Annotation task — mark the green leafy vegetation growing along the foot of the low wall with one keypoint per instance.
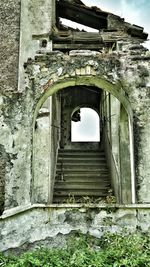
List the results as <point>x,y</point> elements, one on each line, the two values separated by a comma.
<point>115,250</point>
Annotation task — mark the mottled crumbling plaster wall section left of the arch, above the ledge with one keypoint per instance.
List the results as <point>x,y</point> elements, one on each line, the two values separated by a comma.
<point>15,144</point>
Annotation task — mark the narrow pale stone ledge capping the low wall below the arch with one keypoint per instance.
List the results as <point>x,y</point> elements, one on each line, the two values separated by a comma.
<point>22,209</point>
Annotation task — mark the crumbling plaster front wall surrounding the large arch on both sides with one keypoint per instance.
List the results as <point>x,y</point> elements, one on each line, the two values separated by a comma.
<point>121,73</point>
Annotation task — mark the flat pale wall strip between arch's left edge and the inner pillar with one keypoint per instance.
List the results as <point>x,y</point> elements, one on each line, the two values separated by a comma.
<point>41,151</point>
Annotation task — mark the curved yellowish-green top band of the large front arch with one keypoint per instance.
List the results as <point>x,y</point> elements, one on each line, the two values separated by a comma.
<point>52,87</point>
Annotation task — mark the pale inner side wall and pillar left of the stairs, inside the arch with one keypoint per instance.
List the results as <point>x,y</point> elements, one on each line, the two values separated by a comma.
<point>45,147</point>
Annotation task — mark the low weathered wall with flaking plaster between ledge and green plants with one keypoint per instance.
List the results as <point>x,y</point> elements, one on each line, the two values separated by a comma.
<point>42,226</point>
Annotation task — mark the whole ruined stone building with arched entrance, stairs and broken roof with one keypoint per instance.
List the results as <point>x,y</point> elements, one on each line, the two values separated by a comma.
<point>49,72</point>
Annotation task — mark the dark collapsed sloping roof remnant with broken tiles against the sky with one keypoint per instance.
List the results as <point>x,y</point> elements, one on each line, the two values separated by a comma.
<point>94,17</point>
